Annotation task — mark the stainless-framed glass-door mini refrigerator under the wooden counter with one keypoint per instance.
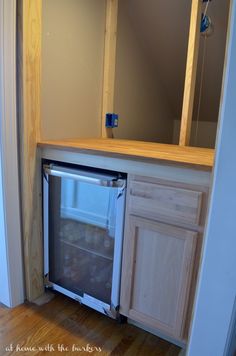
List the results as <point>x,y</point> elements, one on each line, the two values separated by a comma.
<point>83,220</point>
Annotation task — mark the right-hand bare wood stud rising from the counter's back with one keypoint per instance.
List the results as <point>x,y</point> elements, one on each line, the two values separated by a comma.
<point>191,72</point>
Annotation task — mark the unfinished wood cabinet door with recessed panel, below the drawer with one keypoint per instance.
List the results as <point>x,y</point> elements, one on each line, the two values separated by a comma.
<point>157,267</point>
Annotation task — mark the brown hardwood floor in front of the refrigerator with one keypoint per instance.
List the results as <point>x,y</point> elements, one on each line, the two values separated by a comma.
<point>81,330</point>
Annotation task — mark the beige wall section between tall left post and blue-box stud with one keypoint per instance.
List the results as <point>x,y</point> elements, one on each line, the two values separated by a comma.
<point>72,67</point>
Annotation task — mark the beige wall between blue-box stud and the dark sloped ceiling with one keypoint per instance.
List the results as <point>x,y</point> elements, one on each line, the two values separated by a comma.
<point>140,100</point>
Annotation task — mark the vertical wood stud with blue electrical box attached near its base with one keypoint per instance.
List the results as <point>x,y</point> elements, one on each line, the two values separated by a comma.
<point>109,64</point>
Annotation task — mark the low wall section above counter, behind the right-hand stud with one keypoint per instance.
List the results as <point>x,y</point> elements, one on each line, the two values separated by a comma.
<point>203,133</point>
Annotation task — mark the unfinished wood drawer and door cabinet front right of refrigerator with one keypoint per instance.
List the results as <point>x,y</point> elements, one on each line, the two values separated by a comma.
<point>160,259</point>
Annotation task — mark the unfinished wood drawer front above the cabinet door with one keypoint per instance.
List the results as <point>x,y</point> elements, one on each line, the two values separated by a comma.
<point>172,203</point>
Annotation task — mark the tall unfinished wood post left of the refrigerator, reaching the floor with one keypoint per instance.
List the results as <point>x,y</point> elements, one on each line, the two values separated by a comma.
<point>29,77</point>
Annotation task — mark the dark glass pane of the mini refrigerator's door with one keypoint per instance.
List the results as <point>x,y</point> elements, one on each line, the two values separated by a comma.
<point>81,236</point>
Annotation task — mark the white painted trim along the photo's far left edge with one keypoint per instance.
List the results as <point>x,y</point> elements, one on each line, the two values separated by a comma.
<point>11,262</point>
